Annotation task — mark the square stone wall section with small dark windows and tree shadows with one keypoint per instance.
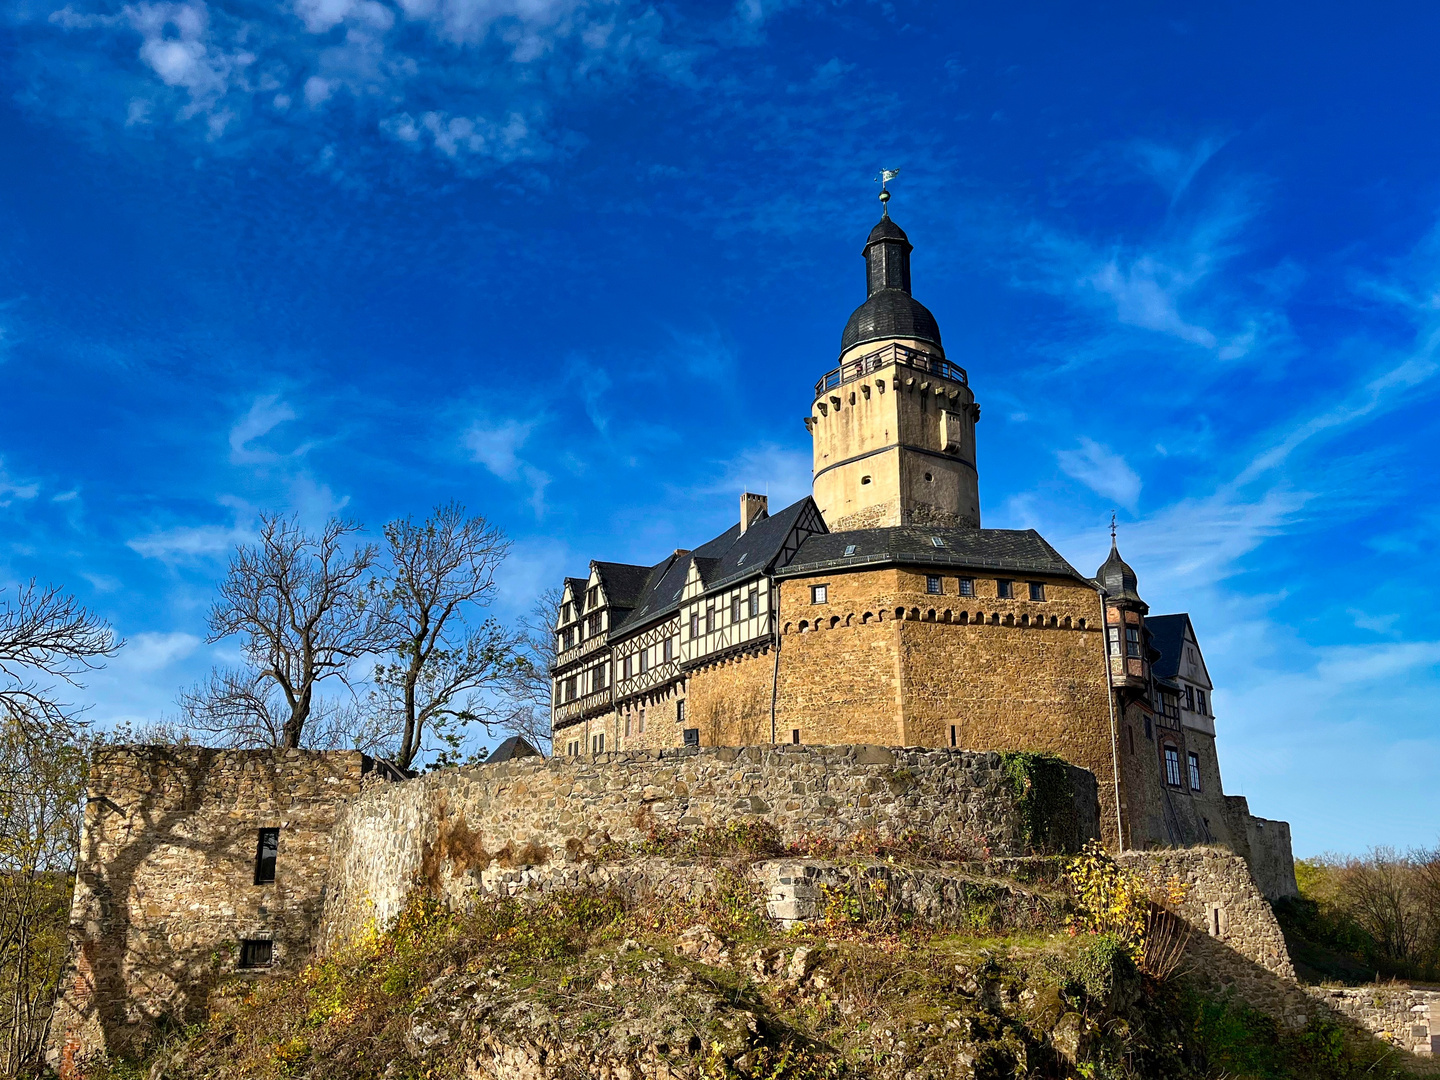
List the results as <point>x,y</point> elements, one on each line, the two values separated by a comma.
<point>166,886</point>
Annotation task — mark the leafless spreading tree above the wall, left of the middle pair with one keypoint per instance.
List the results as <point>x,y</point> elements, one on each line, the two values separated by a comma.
<point>305,610</point>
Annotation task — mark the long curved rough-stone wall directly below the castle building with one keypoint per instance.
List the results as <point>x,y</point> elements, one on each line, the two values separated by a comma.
<point>453,830</point>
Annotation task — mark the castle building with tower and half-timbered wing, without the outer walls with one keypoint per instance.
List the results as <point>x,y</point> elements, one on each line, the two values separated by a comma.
<point>879,611</point>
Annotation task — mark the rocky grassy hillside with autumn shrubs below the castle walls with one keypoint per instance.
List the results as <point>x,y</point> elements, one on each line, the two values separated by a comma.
<point>601,984</point>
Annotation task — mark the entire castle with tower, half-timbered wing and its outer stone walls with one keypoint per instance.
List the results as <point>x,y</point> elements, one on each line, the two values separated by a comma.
<point>849,665</point>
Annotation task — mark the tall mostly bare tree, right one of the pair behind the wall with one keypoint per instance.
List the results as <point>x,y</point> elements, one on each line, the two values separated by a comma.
<point>444,672</point>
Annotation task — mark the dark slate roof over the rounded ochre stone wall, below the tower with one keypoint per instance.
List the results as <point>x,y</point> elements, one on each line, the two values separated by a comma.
<point>1010,551</point>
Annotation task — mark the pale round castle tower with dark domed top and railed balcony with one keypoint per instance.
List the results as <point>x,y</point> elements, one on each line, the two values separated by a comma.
<point>894,427</point>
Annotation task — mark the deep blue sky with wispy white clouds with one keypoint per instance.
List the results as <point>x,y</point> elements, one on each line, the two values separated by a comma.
<point>578,263</point>
